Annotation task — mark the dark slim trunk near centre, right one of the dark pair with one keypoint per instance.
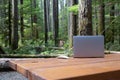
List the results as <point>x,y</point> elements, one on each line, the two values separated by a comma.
<point>56,22</point>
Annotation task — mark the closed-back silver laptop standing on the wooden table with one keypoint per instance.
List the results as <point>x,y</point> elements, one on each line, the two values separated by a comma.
<point>88,46</point>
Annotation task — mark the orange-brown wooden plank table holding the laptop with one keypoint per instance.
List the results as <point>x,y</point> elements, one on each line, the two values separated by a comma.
<point>107,68</point>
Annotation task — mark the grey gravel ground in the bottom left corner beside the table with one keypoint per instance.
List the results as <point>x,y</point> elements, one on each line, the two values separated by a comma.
<point>11,75</point>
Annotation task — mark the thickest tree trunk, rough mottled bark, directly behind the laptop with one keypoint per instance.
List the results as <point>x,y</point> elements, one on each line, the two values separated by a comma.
<point>85,17</point>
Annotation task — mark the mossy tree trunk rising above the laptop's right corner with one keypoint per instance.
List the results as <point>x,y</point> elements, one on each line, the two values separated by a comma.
<point>101,18</point>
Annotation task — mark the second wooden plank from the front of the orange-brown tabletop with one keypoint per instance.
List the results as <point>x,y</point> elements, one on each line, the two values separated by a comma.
<point>56,62</point>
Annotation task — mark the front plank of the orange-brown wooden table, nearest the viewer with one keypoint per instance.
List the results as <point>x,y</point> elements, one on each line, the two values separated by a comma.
<point>68,72</point>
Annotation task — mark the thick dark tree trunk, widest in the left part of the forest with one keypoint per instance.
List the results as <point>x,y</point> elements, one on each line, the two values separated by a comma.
<point>14,43</point>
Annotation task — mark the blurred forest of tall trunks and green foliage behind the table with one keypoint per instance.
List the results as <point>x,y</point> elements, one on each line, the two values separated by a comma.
<point>46,27</point>
